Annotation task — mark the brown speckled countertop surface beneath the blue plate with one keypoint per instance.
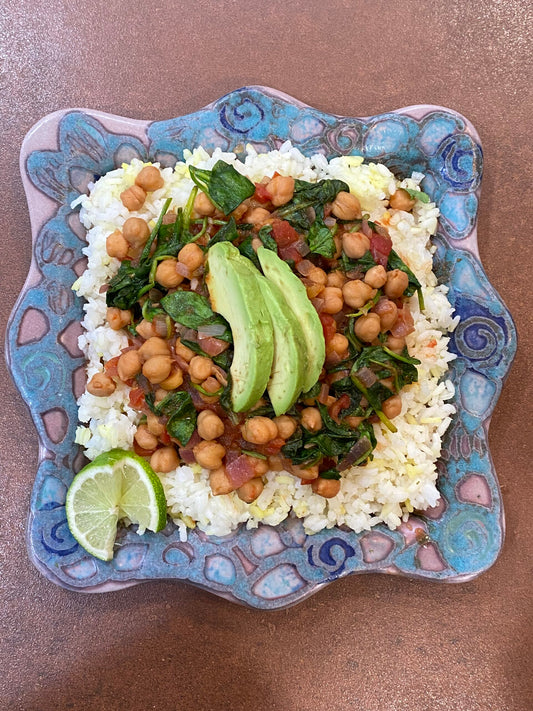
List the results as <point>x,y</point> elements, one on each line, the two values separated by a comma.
<point>370,643</point>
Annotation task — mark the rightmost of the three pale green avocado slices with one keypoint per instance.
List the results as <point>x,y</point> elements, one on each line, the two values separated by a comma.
<point>295,295</point>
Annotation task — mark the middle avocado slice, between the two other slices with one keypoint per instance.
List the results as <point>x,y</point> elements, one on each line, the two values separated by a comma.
<point>290,353</point>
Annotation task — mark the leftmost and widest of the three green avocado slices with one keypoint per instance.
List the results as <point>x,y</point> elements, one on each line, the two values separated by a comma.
<point>235,294</point>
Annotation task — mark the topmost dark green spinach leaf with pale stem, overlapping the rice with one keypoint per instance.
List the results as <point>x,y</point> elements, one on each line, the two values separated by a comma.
<point>225,187</point>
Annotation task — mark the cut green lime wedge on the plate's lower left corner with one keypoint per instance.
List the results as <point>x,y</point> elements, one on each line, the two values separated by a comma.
<point>116,485</point>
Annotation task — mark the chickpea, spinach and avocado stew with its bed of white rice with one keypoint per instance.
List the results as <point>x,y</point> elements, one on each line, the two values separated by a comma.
<point>268,335</point>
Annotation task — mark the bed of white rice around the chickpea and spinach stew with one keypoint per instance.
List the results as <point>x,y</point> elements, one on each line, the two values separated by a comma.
<point>402,476</point>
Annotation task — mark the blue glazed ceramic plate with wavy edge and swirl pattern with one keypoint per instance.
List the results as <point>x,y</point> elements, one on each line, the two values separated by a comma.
<point>268,567</point>
